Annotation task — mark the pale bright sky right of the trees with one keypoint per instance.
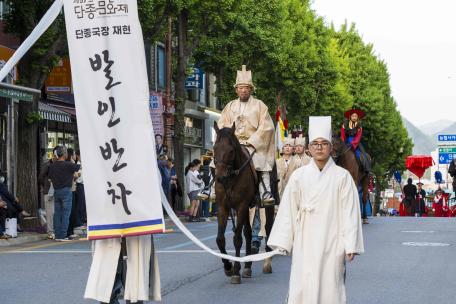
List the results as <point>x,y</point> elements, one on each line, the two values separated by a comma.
<point>417,40</point>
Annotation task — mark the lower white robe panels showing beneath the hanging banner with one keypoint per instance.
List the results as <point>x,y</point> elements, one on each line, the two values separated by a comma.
<point>141,283</point>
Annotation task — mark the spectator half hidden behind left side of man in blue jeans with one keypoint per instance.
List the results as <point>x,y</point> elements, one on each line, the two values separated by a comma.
<point>48,193</point>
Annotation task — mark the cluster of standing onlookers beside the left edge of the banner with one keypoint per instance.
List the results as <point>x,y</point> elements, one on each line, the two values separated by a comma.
<point>62,184</point>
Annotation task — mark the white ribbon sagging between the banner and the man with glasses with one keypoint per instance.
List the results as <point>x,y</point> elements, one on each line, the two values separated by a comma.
<point>249,258</point>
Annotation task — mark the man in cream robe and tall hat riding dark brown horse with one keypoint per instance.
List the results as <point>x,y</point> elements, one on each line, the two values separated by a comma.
<point>244,156</point>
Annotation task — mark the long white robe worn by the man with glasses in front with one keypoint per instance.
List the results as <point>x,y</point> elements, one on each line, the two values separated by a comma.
<point>318,222</point>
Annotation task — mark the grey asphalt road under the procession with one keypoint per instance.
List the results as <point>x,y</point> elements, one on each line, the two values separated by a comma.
<point>407,260</point>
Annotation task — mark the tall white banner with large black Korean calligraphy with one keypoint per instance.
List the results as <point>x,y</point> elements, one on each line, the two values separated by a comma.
<point>115,130</point>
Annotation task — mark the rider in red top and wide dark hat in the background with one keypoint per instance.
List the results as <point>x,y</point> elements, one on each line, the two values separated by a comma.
<point>351,133</point>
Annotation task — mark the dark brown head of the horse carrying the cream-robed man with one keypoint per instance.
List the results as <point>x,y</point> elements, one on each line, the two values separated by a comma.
<point>224,152</point>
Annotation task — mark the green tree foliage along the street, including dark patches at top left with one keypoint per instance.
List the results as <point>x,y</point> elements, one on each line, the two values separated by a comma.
<point>315,68</point>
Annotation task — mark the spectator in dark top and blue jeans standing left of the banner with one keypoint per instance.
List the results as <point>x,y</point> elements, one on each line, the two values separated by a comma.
<point>61,173</point>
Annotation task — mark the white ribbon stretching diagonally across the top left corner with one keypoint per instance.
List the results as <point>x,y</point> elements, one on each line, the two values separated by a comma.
<point>41,27</point>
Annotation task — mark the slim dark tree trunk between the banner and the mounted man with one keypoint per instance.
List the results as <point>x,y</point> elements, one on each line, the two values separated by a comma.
<point>182,58</point>
